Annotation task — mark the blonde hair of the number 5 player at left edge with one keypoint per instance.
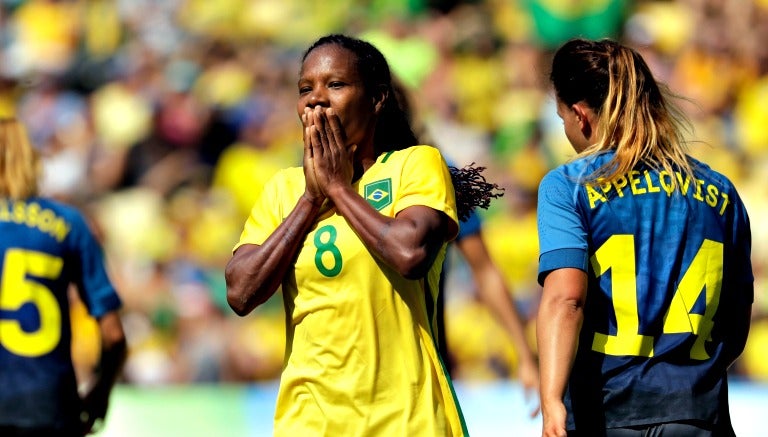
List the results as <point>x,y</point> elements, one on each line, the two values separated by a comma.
<point>19,161</point>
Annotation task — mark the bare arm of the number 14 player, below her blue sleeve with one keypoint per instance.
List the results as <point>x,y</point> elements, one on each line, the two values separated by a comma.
<point>559,321</point>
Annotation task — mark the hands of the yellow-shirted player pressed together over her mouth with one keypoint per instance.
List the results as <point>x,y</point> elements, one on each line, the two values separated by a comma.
<point>332,158</point>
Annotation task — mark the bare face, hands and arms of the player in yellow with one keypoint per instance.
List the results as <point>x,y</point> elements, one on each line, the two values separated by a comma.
<point>340,117</point>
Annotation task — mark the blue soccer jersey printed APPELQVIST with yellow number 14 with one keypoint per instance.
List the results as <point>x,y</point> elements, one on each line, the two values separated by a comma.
<point>668,269</point>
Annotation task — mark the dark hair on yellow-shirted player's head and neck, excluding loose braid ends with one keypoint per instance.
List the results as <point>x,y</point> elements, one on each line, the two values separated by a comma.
<point>393,131</point>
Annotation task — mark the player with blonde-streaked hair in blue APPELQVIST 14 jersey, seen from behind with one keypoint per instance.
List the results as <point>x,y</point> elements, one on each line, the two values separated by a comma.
<point>644,259</point>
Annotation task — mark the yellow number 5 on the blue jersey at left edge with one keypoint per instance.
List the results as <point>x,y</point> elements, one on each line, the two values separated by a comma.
<point>18,289</point>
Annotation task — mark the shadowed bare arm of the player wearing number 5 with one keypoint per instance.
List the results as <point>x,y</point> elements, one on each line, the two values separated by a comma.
<point>113,355</point>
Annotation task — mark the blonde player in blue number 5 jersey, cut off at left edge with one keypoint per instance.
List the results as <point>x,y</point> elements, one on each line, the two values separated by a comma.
<point>46,246</point>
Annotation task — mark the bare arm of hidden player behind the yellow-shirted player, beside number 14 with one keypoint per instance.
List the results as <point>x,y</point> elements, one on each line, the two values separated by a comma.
<point>495,294</point>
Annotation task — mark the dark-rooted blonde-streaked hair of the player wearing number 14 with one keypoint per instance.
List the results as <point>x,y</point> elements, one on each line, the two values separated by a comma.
<point>635,115</point>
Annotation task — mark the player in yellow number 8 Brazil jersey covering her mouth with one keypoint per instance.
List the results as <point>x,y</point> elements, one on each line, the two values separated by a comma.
<point>356,239</point>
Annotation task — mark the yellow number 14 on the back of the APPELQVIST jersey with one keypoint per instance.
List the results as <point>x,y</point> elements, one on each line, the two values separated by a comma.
<point>617,254</point>
